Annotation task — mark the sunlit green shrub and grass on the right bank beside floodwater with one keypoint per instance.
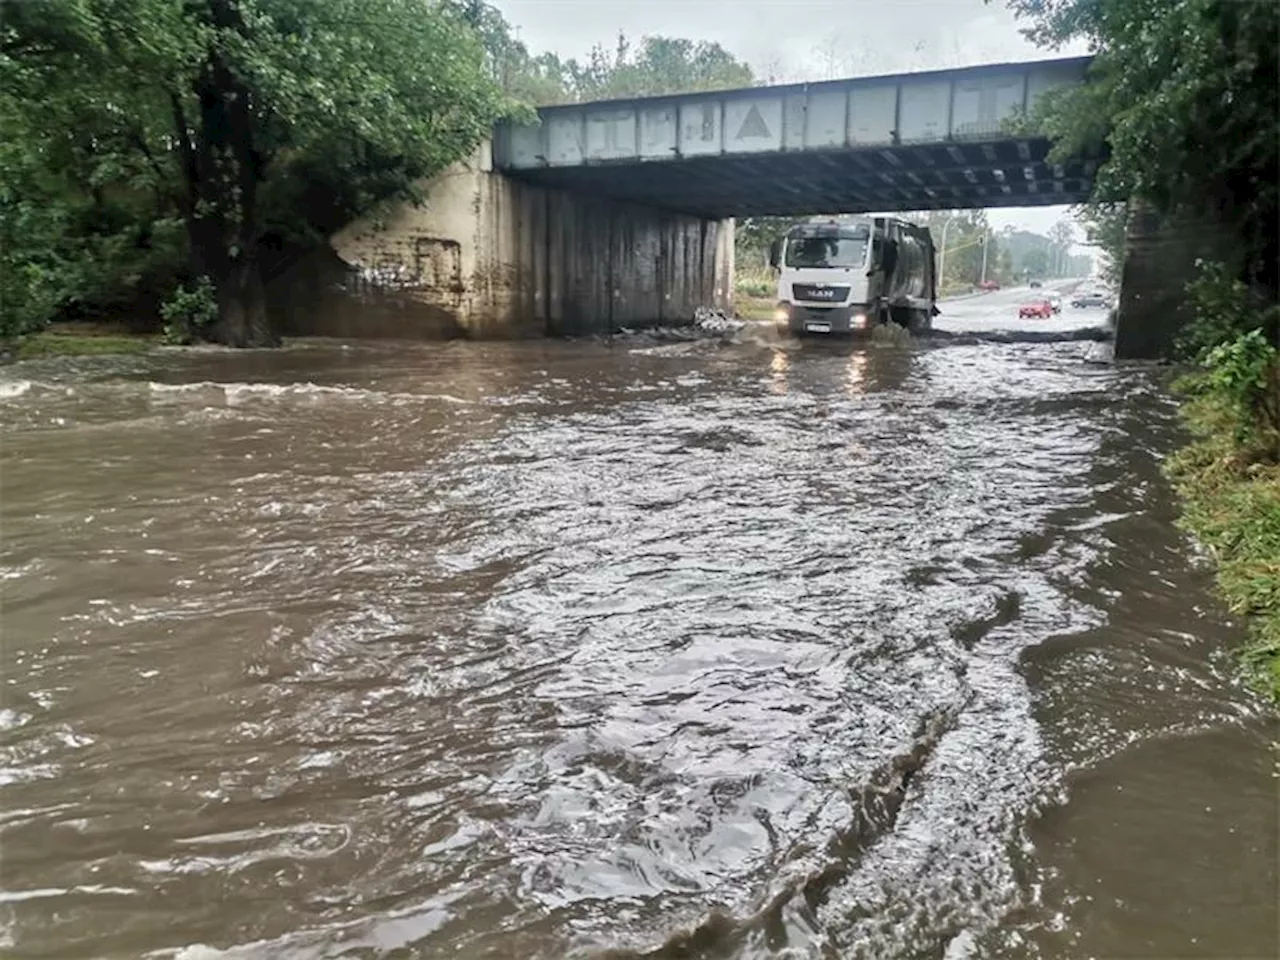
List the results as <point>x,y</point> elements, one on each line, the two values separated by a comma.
<point>1229,476</point>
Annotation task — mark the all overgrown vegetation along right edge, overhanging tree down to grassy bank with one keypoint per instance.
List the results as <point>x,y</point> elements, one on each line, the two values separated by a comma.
<point>1185,94</point>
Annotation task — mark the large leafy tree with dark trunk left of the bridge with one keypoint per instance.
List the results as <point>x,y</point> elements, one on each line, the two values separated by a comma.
<point>223,103</point>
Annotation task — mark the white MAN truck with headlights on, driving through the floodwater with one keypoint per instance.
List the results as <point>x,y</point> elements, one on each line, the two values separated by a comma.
<point>849,277</point>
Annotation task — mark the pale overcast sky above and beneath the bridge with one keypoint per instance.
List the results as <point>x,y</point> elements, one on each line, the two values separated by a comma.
<point>794,40</point>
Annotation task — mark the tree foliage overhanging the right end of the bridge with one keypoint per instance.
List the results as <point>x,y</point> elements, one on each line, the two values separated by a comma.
<point>1186,94</point>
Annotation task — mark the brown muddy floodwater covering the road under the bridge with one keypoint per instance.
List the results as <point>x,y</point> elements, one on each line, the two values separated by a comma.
<point>616,651</point>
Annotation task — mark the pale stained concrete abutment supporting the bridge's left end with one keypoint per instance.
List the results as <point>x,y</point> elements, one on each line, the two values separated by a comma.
<point>491,257</point>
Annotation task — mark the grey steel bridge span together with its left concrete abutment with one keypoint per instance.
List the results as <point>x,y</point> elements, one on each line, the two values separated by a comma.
<point>620,214</point>
